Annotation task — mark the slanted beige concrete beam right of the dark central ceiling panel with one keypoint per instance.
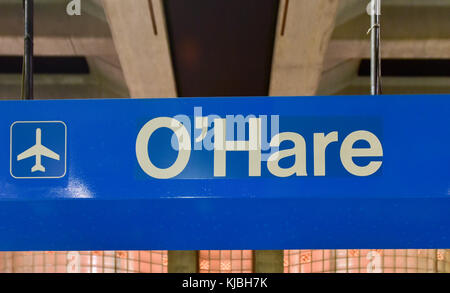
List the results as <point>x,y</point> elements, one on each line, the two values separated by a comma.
<point>303,32</point>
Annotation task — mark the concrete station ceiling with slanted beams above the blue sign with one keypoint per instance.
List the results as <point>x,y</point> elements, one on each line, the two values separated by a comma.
<point>170,48</point>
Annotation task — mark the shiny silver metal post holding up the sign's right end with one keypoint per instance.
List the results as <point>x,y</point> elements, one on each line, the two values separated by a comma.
<point>375,11</point>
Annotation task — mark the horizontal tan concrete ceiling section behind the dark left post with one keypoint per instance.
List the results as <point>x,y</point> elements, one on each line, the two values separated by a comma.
<point>56,33</point>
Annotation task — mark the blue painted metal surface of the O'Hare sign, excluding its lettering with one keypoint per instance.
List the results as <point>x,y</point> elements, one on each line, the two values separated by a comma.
<point>105,201</point>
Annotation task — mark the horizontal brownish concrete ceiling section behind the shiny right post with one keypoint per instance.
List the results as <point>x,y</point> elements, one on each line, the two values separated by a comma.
<point>401,36</point>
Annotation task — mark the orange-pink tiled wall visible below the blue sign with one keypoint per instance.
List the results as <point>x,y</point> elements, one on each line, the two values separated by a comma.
<point>230,261</point>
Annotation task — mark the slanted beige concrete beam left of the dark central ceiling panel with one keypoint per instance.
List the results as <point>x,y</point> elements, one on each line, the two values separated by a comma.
<point>139,33</point>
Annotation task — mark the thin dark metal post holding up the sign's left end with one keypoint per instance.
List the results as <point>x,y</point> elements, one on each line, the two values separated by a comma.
<point>27,70</point>
